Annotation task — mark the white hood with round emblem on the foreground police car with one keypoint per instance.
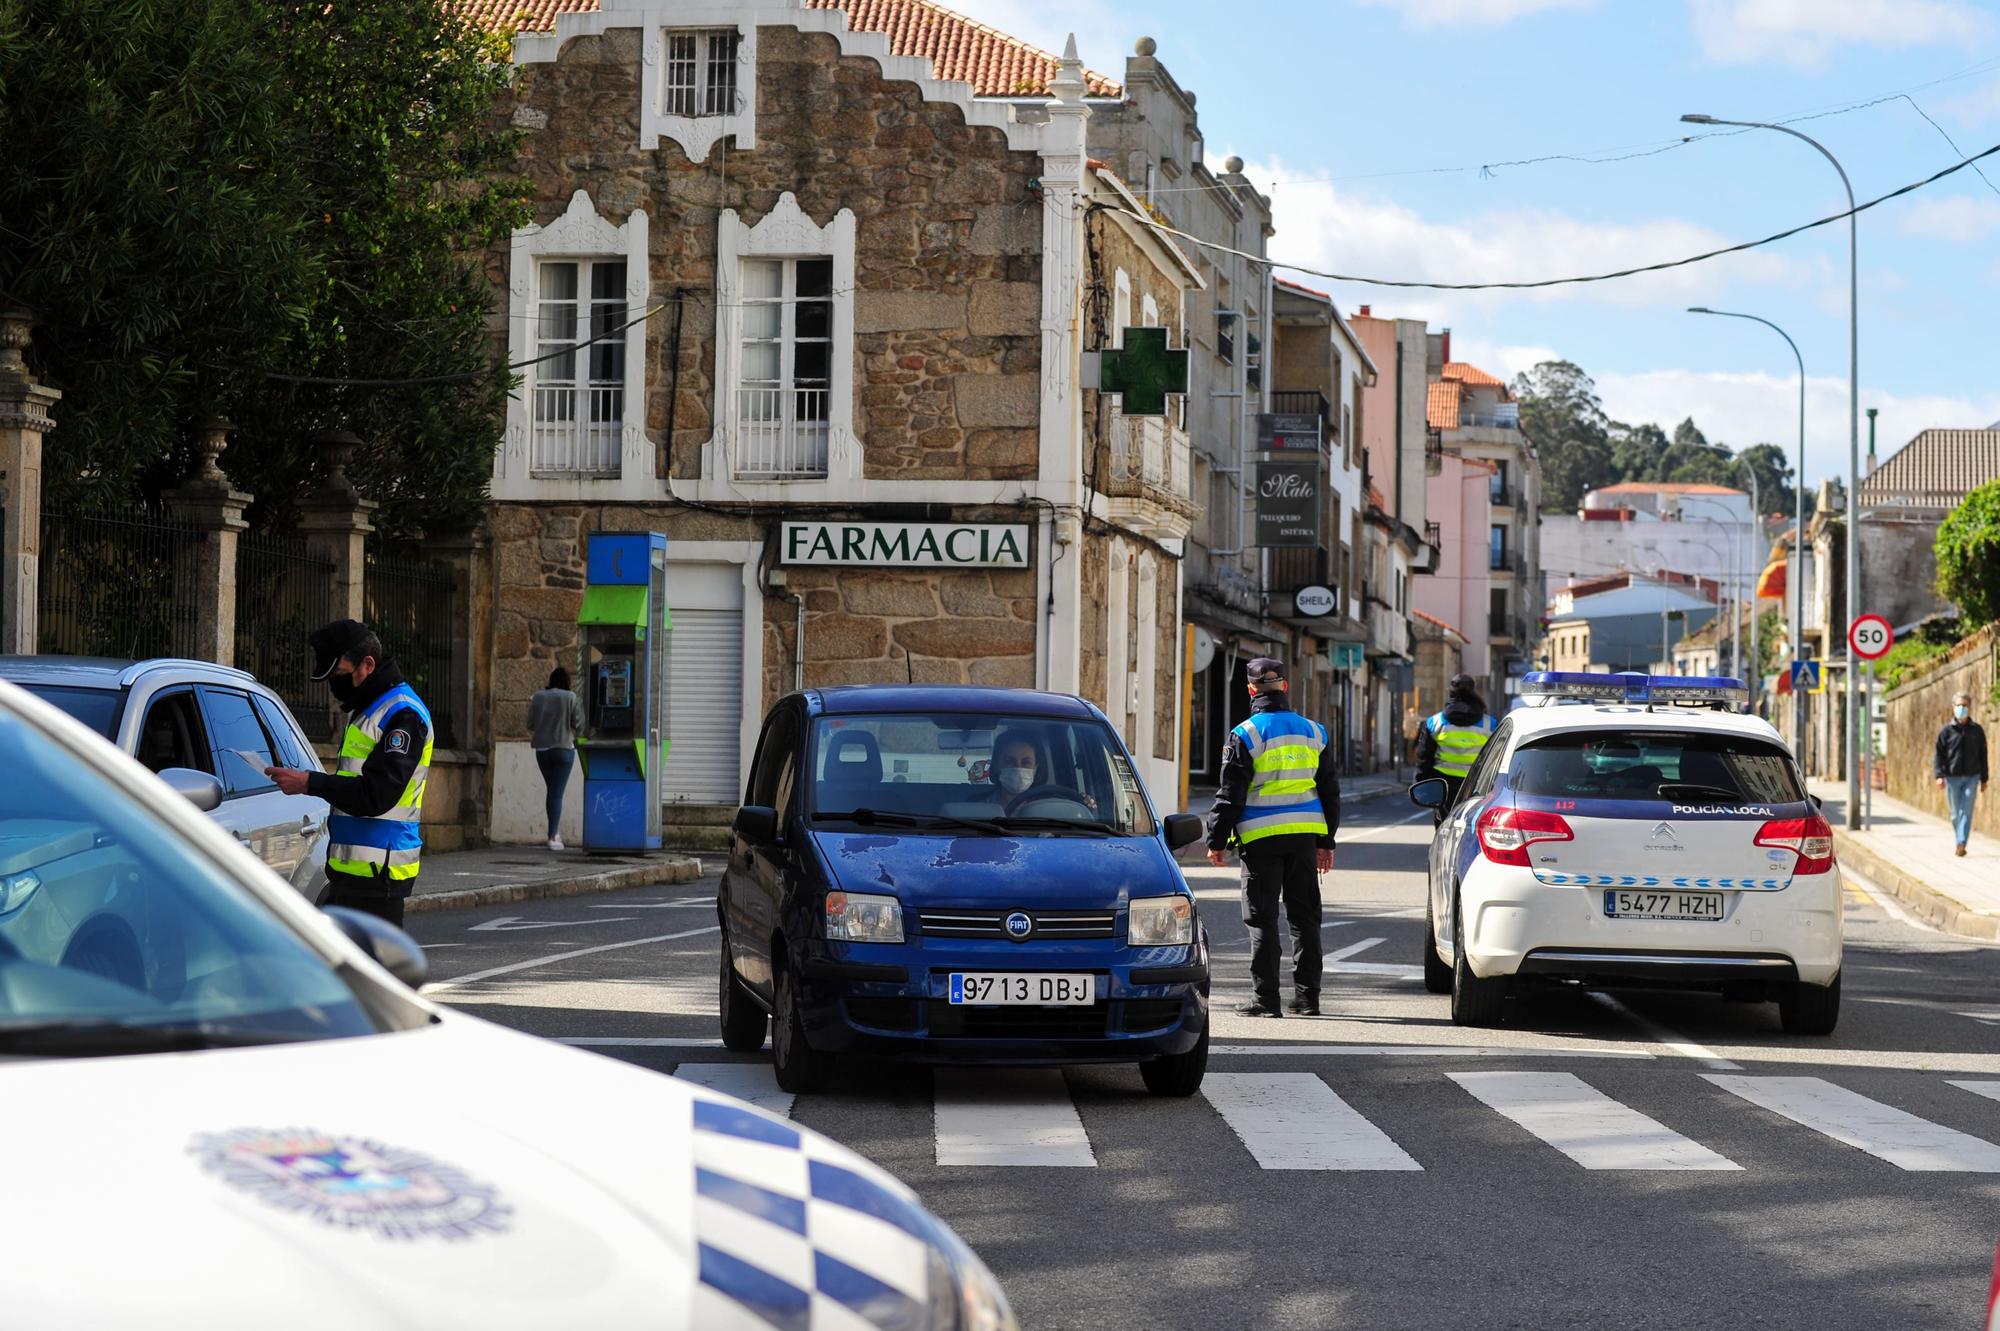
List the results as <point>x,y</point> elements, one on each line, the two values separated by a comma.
<point>457,1176</point>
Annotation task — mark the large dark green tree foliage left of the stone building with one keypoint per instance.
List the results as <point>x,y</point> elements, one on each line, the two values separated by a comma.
<point>253,187</point>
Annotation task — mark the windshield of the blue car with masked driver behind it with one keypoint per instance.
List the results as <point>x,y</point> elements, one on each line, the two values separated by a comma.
<point>1017,774</point>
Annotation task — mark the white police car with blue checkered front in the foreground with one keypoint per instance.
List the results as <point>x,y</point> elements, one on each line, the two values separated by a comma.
<point>225,1110</point>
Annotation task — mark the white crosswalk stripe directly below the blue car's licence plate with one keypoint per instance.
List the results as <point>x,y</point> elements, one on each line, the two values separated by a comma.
<point>1007,1118</point>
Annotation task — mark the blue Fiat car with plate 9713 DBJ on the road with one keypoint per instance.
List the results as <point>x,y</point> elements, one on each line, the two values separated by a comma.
<point>959,874</point>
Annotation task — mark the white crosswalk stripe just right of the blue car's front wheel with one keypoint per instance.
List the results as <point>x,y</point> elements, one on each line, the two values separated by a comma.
<point>1295,1122</point>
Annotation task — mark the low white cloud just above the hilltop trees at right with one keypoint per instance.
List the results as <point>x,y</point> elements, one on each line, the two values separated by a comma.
<point>1763,409</point>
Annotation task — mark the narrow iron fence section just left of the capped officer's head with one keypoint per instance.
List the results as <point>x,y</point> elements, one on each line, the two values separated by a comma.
<point>283,593</point>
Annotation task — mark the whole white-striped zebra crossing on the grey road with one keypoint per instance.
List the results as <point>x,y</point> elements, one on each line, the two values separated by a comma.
<point>1295,1120</point>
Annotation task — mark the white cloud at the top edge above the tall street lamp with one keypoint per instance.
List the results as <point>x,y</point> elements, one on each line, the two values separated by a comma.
<point>1809,31</point>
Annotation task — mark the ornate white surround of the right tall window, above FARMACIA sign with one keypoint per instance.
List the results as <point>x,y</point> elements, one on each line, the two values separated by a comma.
<point>785,233</point>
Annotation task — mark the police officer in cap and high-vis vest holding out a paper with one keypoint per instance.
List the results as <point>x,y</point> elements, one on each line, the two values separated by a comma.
<point>375,832</point>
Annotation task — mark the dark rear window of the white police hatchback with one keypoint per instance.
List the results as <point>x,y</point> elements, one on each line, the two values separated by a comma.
<point>1691,768</point>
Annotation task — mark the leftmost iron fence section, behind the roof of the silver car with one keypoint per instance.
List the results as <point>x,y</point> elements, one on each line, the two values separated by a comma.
<point>117,587</point>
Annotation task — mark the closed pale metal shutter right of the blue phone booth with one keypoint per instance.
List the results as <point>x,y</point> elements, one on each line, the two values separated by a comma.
<point>705,700</point>
